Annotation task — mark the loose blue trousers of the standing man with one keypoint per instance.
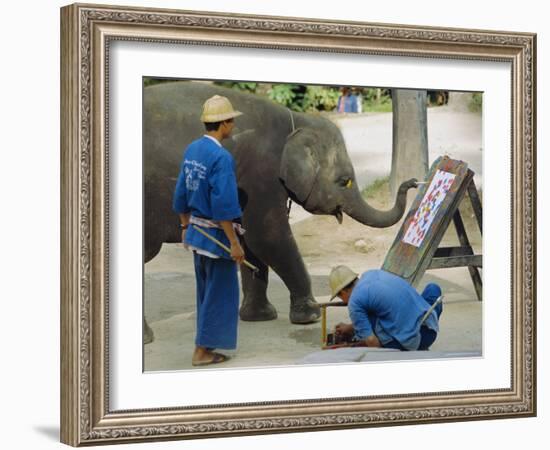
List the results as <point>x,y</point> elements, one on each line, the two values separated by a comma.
<point>217,302</point>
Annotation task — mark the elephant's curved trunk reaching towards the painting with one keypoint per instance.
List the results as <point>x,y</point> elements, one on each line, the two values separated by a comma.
<point>358,209</point>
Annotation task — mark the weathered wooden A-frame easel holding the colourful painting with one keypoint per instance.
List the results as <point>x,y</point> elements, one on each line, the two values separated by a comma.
<point>411,263</point>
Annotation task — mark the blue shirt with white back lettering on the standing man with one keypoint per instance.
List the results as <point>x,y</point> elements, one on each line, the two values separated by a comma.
<point>207,188</point>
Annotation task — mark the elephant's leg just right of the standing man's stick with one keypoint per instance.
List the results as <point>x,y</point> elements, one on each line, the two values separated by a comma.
<point>255,305</point>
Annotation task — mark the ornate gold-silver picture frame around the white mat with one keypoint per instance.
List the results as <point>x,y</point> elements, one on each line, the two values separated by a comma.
<point>86,31</point>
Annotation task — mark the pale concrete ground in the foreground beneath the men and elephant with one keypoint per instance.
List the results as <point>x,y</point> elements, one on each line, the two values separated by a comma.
<point>170,310</point>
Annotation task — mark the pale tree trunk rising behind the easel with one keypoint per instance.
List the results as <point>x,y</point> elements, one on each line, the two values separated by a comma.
<point>410,137</point>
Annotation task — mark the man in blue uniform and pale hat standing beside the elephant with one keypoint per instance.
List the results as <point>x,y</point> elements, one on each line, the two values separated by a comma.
<point>206,197</point>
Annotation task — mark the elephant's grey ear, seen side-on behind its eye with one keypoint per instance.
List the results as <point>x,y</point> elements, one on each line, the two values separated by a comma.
<point>299,164</point>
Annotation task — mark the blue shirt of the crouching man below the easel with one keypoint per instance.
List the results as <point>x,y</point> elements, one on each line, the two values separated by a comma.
<point>387,306</point>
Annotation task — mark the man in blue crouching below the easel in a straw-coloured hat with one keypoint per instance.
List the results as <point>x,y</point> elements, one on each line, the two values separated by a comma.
<point>385,310</point>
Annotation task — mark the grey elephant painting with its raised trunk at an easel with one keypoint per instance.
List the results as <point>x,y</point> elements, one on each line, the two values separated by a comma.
<point>279,155</point>
